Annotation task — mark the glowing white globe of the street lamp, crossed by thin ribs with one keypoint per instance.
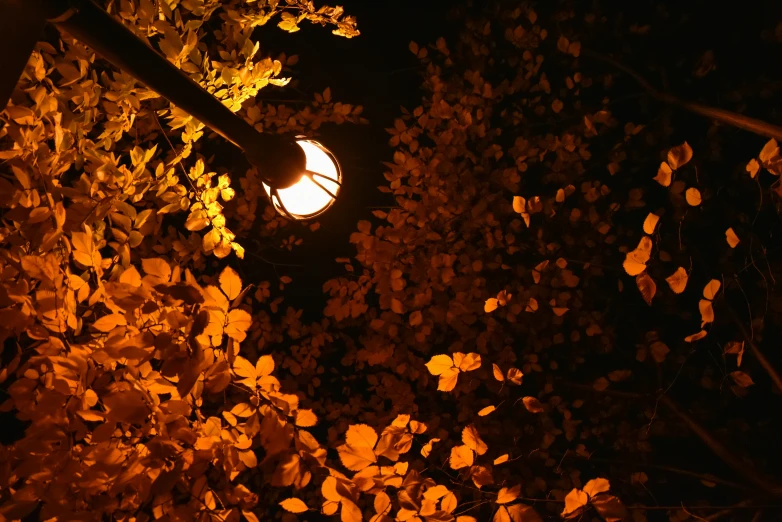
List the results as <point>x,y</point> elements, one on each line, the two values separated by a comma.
<point>317,188</point>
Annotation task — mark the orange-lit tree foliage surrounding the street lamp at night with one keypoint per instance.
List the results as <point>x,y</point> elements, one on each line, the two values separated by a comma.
<point>566,311</point>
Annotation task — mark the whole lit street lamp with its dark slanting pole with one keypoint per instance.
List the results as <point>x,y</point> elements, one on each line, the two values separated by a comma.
<point>300,176</point>
